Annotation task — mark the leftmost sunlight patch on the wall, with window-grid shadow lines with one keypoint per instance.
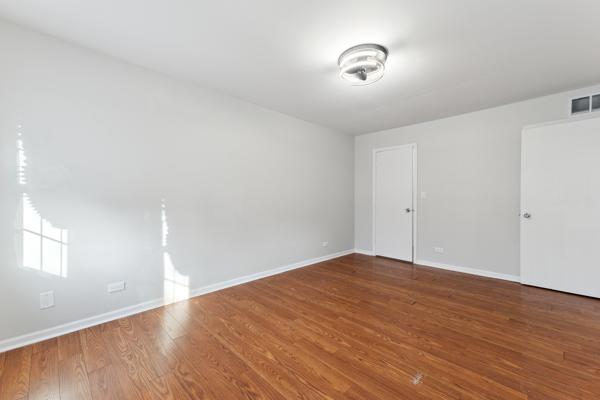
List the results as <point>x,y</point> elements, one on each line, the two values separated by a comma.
<point>43,246</point>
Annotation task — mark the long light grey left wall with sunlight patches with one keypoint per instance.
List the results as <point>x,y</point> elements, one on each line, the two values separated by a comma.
<point>245,189</point>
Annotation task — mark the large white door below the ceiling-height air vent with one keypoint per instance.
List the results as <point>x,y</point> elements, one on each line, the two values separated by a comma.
<point>560,221</point>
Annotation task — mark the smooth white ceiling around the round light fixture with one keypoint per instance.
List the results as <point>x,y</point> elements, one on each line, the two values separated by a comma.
<point>446,56</point>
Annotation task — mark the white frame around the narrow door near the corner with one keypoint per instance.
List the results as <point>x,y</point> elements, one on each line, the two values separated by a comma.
<point>413,147</point>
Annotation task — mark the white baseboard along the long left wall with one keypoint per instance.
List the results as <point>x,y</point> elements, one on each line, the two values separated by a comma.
<point>59,330</point>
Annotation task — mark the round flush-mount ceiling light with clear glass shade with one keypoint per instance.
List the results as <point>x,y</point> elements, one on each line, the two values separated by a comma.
<point>363,64</point>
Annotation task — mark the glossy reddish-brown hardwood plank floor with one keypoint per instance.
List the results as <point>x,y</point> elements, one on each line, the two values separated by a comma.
<point>356,327</point>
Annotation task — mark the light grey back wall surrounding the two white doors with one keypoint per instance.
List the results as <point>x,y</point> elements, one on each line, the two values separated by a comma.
<point>469,167</point>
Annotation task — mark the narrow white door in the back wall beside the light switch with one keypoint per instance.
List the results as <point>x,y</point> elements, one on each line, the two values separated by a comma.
<point>393,202</point>
